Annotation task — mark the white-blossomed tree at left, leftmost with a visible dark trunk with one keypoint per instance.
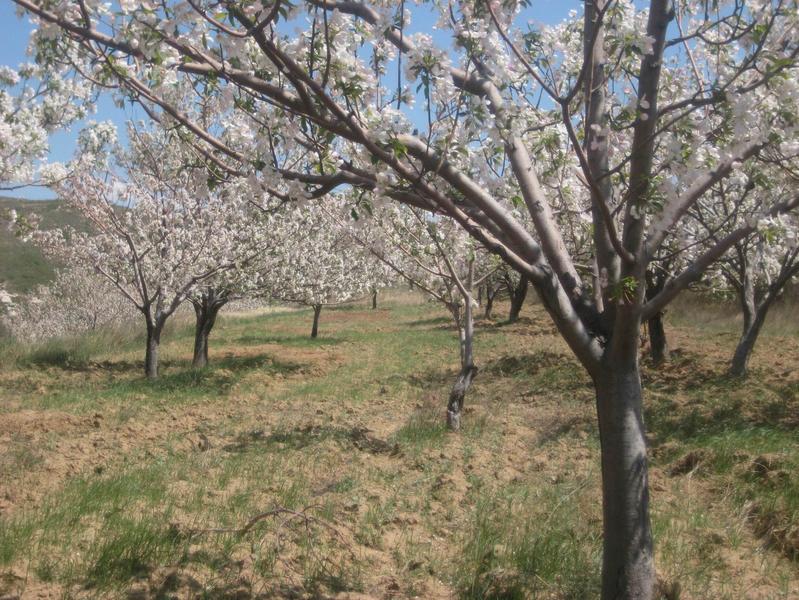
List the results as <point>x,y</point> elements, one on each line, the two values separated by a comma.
<point>154,238</point>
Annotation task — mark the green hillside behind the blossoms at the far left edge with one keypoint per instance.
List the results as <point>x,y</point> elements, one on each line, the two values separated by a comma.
<point>22,265</point>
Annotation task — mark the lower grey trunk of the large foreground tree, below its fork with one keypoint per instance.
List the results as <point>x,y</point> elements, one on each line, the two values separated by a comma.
<point>627,564</point>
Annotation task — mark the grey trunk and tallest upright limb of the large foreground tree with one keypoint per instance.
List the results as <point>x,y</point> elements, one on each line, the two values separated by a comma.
<point>628,571</point>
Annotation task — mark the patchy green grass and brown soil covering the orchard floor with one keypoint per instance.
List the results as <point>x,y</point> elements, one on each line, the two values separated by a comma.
<point>112,485</point>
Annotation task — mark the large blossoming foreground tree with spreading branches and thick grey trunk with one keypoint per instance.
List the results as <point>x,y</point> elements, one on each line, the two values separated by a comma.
<point>625,80</point>
